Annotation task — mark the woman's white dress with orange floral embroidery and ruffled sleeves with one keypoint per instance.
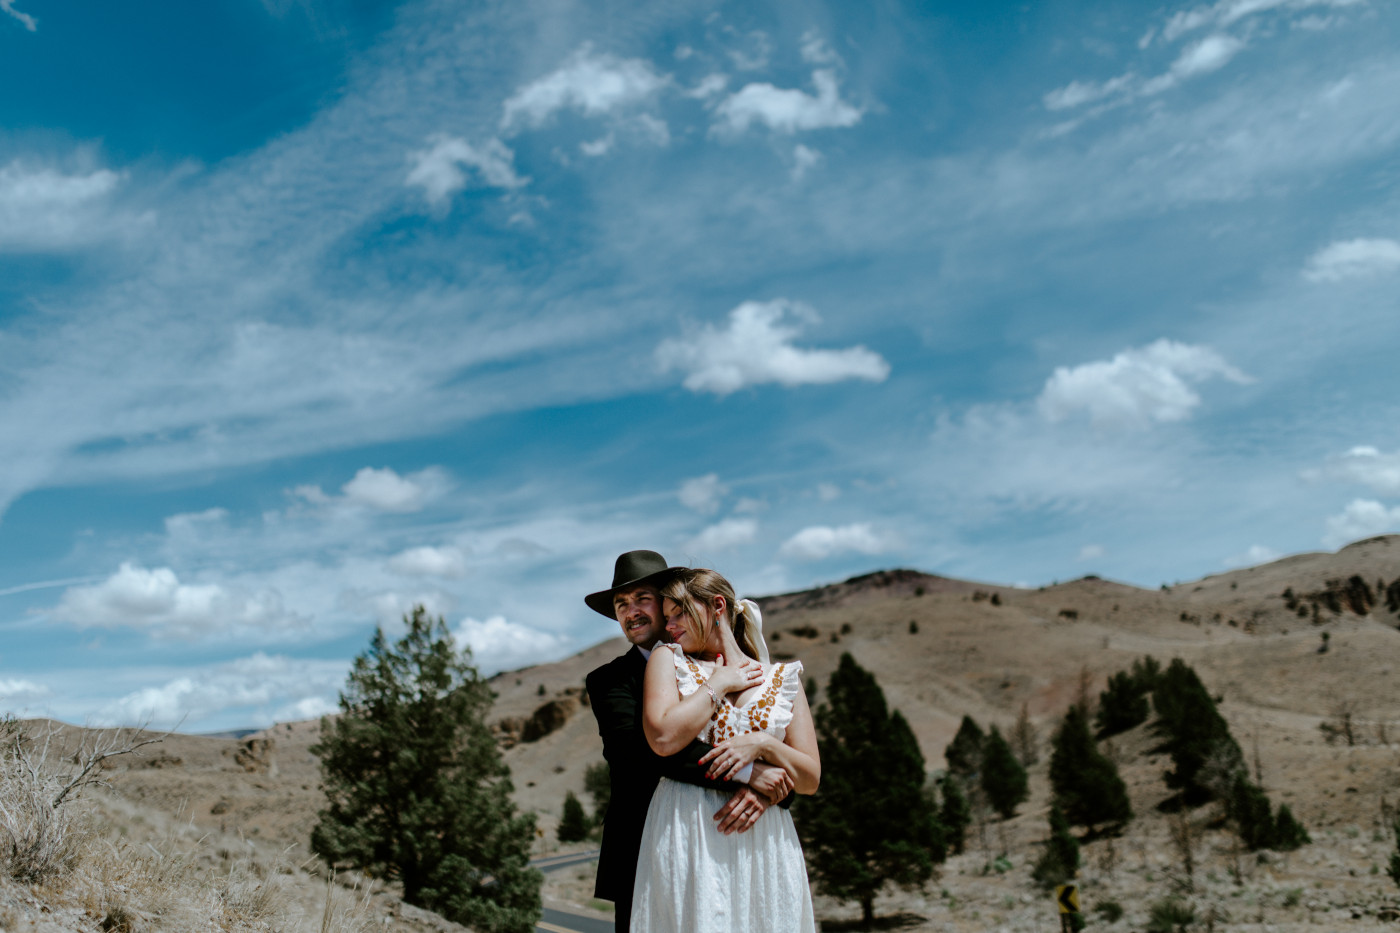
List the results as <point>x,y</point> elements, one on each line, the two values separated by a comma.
<point>691,879</point>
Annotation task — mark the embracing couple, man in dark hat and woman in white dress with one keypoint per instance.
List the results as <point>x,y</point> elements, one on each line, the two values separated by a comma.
<point>703,736</point>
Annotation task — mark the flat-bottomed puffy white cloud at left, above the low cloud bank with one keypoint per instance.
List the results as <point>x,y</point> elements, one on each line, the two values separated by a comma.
<point>156,602</point>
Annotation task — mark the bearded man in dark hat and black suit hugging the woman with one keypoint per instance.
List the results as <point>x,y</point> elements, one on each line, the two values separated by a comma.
<point>615,697</point>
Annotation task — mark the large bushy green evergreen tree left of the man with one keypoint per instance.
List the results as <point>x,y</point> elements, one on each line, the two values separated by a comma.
<point>416,789</point>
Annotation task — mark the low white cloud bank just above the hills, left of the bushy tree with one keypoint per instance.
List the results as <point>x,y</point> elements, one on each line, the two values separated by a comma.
<point>265,689</point>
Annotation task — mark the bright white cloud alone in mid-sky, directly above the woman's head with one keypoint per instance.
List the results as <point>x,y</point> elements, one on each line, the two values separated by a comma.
<point>758,348</point>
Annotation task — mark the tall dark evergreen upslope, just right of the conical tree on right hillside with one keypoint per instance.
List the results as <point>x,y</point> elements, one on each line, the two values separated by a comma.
<point>1196,735</point>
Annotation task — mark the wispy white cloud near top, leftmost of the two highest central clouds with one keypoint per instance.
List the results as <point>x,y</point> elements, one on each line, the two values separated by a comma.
<point>593,85</point>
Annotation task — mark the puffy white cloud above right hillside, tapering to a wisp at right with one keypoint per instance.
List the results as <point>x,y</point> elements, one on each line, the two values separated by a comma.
<point>1136,387</point>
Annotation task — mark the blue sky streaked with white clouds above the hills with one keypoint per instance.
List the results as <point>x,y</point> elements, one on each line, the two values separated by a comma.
<point>316,310</point>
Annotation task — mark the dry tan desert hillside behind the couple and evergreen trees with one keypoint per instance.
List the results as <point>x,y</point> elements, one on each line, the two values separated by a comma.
<point>943,649</point>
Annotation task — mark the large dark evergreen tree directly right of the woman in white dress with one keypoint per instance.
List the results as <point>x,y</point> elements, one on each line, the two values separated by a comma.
<point>859,836</point>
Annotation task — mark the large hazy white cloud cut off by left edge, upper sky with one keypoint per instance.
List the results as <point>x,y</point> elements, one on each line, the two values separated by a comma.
<point>47,209</point>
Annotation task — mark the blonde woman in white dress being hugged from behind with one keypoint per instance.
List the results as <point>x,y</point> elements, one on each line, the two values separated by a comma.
<point>716,683</point>
